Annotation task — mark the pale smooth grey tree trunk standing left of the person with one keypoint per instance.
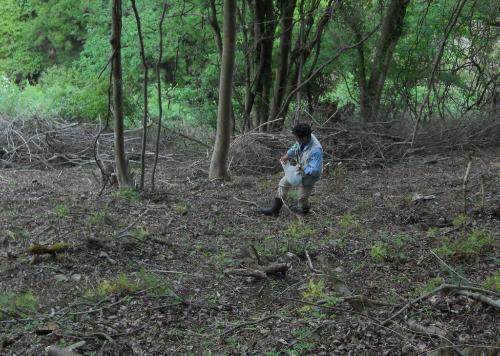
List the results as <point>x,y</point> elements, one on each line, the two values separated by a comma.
<point>218,164</point>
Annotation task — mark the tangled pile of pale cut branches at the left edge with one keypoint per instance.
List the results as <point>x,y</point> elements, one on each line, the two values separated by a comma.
<point>50,144</point>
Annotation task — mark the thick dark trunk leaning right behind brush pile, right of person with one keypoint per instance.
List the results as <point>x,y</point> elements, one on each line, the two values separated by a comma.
<point>371,92</point>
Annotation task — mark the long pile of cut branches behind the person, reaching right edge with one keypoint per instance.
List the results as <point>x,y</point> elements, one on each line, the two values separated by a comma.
<point>365,144</point>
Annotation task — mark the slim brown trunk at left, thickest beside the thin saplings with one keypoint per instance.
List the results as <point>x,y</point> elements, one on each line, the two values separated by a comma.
<point>120,159</point>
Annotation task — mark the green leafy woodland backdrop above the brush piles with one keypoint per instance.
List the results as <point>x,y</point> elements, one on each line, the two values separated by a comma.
<point>308,56</point>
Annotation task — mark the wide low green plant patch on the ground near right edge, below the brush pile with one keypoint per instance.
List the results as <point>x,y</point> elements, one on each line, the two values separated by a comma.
<point>476,242</point>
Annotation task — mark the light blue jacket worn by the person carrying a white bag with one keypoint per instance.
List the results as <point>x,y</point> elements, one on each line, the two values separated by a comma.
<point>310,158</point>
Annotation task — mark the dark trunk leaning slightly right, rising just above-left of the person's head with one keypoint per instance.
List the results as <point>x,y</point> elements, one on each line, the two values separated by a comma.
<point>280,82</point>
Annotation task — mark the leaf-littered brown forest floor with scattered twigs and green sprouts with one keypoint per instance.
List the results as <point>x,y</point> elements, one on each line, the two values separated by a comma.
<point>162,273</point>
